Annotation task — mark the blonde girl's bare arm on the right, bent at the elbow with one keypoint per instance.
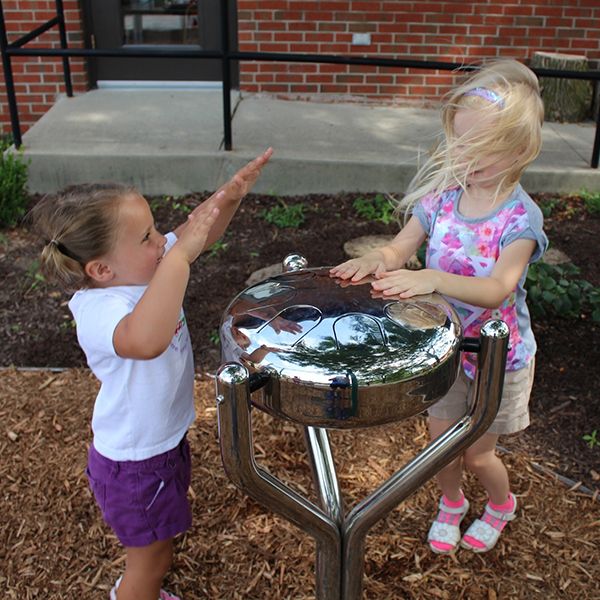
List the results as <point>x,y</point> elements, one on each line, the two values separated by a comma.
<point>487,292</point>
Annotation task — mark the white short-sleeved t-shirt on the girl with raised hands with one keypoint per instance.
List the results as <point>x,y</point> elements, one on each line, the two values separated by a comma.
<point>144,407</point>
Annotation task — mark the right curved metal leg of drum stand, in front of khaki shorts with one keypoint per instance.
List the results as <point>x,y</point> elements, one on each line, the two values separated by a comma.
<point>488,393</point>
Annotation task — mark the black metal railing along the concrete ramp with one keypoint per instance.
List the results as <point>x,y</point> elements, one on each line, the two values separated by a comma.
<point>227,56</point>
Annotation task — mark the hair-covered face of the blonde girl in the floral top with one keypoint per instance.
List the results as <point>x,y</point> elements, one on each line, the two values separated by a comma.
<point>469,124</point>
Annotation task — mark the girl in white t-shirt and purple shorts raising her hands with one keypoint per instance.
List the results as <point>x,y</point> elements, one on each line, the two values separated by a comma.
<point>100,239</point>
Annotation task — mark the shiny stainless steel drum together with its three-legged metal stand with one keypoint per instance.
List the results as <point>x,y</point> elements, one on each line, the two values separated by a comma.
<point>328,354</point>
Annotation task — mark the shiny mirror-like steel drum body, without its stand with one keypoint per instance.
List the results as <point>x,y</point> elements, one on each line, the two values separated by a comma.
<point>341,355</point>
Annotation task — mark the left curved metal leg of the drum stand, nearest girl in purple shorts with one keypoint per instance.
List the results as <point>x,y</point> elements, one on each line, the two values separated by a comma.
<point>235,438</point>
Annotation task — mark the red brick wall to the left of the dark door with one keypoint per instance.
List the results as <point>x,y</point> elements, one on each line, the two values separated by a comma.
<point>39,80</point>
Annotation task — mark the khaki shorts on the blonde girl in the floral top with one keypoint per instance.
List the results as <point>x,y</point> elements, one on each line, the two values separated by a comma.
<point>513,414</point>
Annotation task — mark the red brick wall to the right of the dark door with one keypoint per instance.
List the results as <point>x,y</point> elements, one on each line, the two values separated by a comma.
<point>427,30</point>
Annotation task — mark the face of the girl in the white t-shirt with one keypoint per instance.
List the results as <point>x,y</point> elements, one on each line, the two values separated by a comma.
<point>139,248</point>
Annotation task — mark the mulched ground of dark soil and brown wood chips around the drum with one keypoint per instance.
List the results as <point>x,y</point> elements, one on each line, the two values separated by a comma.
<point>55,546</point>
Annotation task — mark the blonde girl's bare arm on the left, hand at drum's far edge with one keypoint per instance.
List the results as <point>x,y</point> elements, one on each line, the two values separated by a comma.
<point>385,258</point>
